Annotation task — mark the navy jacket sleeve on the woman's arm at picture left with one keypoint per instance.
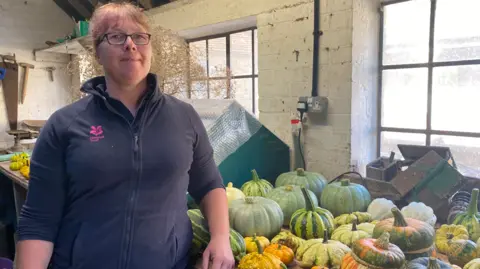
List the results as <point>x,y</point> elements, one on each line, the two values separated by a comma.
<point>42,212</point>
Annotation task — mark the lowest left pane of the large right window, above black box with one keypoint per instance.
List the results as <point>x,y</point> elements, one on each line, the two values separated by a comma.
<point>390,140</point>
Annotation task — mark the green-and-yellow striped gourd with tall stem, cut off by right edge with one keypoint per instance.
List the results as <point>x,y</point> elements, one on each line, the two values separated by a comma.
<point>470,218</point>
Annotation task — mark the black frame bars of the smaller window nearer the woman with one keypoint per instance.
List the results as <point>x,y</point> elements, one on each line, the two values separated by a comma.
<point>252,76</point>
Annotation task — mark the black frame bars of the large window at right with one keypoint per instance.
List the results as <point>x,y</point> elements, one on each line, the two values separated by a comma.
<point>431,64</point>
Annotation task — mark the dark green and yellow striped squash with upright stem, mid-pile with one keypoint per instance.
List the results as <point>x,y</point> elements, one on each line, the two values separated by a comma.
<point>311,221</point>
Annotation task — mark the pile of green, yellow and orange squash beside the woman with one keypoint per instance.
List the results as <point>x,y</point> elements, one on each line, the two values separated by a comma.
<point>304,221</point>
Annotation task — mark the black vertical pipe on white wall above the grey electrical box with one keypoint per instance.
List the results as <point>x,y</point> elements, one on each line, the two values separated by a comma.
<point>316,46</point>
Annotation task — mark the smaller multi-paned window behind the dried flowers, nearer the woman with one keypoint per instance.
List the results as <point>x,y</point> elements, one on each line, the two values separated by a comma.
<point>225,67</point>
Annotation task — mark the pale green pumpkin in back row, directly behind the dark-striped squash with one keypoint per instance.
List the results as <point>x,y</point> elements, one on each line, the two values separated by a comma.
<point>310,180</point>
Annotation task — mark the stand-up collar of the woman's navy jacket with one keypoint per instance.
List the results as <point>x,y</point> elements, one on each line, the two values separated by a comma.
<point>97,86</point>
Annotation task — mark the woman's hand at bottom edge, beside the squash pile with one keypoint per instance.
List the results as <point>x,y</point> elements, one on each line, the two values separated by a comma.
<point>218,253</point>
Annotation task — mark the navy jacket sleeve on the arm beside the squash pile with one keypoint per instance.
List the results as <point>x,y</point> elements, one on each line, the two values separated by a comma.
<point>204,174</point>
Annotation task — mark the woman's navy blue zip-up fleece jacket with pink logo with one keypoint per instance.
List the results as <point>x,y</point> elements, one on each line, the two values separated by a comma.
<point>109,189</point>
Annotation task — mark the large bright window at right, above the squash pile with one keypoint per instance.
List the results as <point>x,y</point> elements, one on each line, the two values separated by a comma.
<point>430,77</point>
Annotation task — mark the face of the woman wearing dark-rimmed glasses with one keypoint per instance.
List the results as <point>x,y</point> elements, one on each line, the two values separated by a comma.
<point>126,63</point>
